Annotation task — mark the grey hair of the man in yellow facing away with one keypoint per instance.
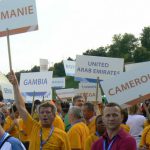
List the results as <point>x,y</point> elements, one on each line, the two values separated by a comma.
<point>76,111</point>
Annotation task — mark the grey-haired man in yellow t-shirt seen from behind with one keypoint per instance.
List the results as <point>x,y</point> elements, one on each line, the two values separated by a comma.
<point>79,131</point>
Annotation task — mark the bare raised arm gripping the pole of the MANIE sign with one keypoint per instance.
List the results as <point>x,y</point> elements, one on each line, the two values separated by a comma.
<point>19,100</point>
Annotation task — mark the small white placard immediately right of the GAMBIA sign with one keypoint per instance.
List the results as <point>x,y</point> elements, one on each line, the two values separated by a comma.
<point>58,82</point>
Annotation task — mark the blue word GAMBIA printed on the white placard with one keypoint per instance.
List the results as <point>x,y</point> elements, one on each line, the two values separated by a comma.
<point>35,81</point>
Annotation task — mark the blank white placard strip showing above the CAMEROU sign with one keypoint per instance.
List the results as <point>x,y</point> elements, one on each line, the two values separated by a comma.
<point>129,67</point>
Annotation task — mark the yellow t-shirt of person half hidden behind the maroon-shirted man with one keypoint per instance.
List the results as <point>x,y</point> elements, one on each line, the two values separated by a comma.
<point>90,140</point>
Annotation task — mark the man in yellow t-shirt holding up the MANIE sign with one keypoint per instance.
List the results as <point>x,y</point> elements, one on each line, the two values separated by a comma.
<point>43,135</point>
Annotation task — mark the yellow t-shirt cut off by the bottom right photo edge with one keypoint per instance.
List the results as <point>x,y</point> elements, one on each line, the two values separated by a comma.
<point>145,139</point>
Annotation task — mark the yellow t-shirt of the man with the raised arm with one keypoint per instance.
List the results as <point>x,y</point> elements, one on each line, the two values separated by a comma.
<point>57,141</point>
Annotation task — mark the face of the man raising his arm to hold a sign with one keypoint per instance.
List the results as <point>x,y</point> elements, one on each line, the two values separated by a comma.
<point>46,116</point>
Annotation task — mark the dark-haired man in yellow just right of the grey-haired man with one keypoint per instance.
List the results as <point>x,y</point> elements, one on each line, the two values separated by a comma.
<point>89,116</point>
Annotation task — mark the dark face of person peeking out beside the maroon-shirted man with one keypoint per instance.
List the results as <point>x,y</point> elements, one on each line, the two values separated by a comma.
<point>100,127</point>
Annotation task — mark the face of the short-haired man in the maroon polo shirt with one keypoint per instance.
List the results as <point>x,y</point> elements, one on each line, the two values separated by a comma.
<point>112,117</point>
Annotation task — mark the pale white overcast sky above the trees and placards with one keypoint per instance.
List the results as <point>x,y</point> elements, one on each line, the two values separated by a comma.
<point>70,27</point>
